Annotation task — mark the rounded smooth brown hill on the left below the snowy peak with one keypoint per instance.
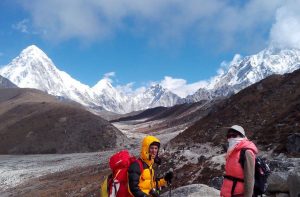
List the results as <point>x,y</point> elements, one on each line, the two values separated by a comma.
<point>33,122</point>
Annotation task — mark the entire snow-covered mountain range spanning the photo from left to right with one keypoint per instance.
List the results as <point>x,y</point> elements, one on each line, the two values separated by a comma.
<point>34,69</point>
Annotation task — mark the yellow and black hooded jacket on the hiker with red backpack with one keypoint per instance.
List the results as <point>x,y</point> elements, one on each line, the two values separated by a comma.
<point>142,181</point>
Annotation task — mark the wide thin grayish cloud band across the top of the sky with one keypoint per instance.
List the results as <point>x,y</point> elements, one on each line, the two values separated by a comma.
<point>162,22</point>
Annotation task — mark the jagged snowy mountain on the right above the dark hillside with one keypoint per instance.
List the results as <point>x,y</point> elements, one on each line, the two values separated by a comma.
<point>243,72</point>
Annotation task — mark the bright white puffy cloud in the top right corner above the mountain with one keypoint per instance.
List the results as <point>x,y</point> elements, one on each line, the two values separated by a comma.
<point>285,31</point>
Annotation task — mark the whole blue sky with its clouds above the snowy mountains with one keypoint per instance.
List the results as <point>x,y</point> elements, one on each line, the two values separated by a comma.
<point>177,43</point>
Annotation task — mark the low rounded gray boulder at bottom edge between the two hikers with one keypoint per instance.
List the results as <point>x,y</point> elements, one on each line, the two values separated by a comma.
<point>194,190</point>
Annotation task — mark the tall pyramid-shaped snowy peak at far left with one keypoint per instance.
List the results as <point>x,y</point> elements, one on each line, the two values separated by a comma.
<point>33,69</point>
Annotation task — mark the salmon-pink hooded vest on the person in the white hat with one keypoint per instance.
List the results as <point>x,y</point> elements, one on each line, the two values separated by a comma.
<point>234,169</point>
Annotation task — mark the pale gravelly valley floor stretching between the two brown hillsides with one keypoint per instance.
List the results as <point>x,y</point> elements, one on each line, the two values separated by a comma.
<point>78,174</point>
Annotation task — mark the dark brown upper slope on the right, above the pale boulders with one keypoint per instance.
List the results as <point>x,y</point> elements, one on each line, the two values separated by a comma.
<point>268,110</point>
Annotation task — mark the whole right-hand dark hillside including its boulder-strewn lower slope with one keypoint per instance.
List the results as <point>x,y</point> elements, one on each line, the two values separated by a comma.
<point>270,113</point>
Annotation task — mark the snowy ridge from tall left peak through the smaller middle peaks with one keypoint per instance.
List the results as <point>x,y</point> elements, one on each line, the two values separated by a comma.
<point>34,69</point>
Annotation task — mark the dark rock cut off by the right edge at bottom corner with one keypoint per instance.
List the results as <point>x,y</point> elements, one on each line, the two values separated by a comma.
<point>293,182</point>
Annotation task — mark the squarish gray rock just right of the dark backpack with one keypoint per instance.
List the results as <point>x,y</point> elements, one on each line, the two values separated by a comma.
<point>277,182</point>
